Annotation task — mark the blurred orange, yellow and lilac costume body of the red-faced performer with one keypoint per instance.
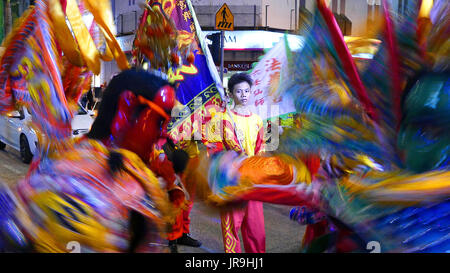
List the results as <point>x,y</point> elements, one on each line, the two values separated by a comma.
<point>78,200</point>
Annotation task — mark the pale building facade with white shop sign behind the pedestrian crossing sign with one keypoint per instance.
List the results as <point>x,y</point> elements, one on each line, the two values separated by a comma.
<point>260,22</point>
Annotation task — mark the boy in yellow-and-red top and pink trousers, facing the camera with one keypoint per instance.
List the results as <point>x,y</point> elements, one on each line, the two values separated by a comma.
<point>240,130</point>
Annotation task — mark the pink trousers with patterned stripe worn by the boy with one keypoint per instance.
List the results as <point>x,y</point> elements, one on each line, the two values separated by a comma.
<point>251,222</point>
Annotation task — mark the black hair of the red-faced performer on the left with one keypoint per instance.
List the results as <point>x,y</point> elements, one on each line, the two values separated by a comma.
<point>139,82</point>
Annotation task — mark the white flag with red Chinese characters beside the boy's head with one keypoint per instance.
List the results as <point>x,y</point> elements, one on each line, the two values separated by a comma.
<point>267,74</point>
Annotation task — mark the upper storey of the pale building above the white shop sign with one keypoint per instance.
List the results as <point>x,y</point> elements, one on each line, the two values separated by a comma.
<point>286,14</point>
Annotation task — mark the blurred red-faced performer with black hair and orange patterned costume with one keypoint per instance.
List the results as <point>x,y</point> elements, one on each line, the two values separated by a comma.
<point>98,192</point>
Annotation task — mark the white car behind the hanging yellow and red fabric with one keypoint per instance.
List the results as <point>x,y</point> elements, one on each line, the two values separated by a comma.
<point>16,132</point>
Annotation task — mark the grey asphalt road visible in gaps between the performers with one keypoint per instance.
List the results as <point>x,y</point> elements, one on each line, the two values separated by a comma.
<point>282,234</point>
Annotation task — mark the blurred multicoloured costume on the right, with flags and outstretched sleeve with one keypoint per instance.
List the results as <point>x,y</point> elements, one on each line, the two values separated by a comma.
<point>385,170</point>
